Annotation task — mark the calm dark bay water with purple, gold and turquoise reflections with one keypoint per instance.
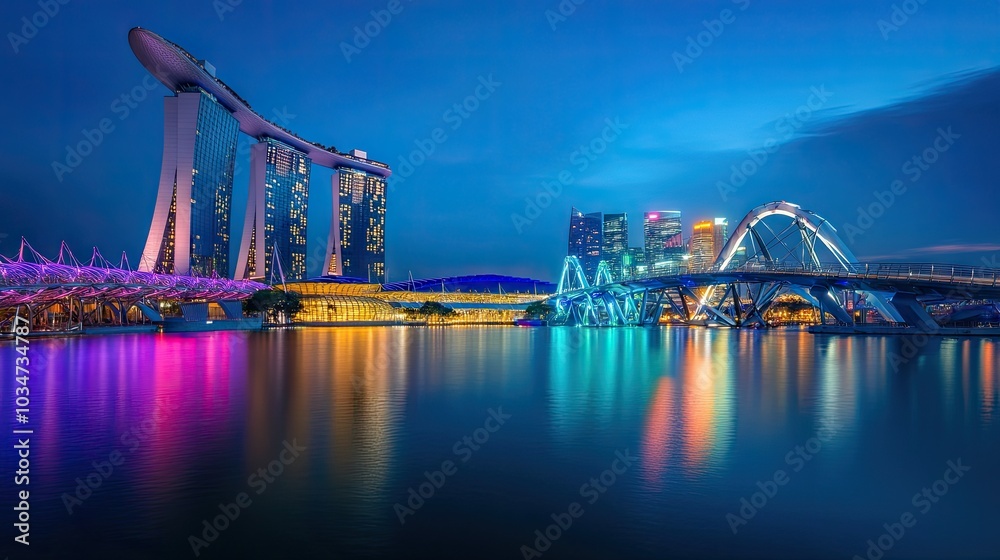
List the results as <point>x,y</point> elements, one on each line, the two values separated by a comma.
<point>699,415</point>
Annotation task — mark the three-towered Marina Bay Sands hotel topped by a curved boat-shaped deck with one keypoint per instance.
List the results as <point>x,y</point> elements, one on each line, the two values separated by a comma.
<point>190,233</point>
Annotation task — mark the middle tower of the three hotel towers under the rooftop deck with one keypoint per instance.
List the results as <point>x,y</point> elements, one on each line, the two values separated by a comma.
<point>274,231</point>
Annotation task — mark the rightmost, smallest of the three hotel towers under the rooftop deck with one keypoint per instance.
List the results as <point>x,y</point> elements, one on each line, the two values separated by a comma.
<point>357,232</point>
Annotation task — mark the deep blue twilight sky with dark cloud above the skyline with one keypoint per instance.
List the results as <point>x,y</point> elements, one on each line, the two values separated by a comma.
<point>843,102</point>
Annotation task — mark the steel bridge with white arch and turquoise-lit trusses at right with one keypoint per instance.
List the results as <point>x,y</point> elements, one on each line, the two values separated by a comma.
<point>788,250</point>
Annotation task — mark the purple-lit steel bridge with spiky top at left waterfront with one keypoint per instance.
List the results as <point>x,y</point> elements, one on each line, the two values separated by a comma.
<point>97,292</point>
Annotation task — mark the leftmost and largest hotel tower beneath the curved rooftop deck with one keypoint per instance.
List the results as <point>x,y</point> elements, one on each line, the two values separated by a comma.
<point>189,233</point>
